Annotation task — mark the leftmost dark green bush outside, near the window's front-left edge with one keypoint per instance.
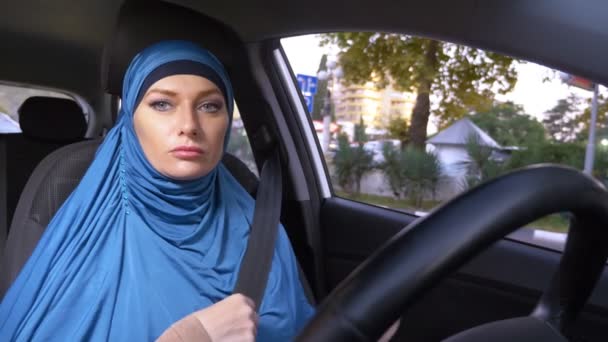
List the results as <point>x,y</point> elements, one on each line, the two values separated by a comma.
<point>351,164</point>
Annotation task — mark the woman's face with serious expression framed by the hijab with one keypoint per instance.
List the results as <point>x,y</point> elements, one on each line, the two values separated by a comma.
<point>181,123</point>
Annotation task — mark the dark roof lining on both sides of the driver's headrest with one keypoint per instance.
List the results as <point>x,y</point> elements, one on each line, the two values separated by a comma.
<point>562,34</point>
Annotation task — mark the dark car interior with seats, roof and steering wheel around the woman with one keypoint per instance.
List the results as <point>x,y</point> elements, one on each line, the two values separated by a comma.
<point>456,270</point>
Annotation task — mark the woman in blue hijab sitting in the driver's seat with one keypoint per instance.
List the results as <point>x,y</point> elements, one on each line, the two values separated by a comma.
<point>157,227</point>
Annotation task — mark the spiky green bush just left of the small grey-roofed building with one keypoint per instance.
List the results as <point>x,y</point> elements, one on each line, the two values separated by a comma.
<point>411,172</point>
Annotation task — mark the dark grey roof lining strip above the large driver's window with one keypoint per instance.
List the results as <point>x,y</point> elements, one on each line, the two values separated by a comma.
<point>561,34</point>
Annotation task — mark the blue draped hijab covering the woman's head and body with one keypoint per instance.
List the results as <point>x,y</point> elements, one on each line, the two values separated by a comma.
<point>131,251</point>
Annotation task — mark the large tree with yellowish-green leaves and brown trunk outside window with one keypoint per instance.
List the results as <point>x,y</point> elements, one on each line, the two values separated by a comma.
<point>462,78</point>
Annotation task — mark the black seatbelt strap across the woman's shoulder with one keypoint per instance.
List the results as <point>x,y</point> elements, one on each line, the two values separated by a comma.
<point>257,261</point>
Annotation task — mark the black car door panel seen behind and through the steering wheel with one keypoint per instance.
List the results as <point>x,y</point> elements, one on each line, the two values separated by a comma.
<point>504,281</point>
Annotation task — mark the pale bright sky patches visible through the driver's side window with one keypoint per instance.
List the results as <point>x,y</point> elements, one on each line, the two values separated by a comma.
<point>536,95</point>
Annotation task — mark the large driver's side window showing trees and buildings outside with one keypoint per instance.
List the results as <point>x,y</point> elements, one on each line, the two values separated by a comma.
<point>414,122</point>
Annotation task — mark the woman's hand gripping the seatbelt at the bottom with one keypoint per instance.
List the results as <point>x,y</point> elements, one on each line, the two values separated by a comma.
<point>232,319</point>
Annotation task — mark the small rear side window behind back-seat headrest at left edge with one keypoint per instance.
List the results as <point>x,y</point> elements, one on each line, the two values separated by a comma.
<point>11,98</point>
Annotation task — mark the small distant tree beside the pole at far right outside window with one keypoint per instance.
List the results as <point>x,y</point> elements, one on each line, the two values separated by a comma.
<point>562,121</point>
